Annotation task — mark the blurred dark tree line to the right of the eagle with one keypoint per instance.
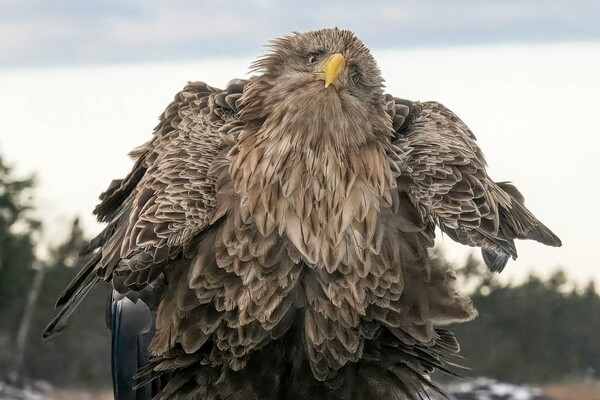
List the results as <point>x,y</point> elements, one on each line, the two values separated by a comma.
<point>540,331</point>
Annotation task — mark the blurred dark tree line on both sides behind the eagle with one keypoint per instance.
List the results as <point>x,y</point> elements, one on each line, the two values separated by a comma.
<point>539,331</point>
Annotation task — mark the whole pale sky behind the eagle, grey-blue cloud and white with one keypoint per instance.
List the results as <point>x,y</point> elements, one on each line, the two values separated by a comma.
<point>82,83</point>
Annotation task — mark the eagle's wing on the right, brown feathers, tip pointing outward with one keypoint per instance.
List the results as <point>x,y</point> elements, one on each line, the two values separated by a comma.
<point>445,175</point>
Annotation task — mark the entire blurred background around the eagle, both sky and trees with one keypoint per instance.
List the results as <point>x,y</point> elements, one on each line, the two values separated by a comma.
<point>83,82</point>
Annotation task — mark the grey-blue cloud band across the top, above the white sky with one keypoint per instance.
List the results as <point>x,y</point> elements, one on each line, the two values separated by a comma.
<point>53,32</point>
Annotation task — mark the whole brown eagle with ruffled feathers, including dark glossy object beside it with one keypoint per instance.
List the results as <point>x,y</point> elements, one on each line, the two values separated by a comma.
<point>274,238</point>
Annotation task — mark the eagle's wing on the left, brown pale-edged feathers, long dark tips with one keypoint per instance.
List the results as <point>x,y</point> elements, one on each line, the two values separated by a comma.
<point>156,211</point>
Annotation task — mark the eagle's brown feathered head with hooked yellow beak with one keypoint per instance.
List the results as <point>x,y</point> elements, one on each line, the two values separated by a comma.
<point>319,87</point>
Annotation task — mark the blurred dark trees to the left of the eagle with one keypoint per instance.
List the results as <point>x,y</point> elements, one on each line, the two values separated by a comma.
<point>80,356</point>
